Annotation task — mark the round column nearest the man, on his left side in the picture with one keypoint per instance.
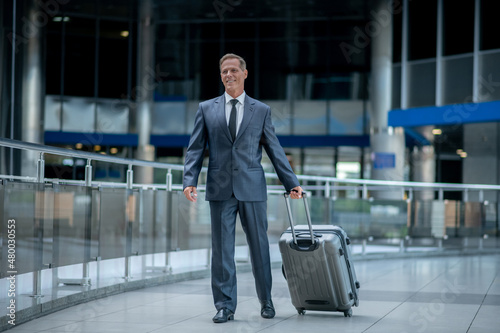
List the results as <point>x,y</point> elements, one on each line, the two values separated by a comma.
<point>145,89</point>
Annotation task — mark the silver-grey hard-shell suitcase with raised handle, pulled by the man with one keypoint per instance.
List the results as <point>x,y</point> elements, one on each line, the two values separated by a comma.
<point>317,266</point>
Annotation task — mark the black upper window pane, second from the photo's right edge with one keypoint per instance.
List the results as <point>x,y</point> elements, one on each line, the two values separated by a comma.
<point>458,27</point>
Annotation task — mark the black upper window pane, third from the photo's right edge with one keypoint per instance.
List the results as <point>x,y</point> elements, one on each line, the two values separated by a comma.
<point>422,25</point>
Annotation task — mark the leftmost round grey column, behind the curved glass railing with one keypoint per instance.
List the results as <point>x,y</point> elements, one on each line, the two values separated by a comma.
<point>32,99</point>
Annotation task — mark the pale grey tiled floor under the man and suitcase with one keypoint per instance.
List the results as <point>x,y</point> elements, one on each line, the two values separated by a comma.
<point>433,294</point>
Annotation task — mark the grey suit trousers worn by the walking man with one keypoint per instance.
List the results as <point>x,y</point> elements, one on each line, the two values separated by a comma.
<point>253,216</point>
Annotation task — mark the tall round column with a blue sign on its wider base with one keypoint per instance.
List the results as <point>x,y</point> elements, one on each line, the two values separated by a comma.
<point>387,143</point>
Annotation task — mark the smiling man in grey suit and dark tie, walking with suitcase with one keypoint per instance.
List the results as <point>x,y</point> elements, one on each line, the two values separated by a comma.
<point>236,127</point>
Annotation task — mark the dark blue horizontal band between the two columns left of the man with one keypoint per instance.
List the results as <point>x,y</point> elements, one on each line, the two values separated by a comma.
<point>101,139</point>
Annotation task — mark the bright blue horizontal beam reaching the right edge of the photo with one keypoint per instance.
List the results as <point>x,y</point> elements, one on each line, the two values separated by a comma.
<point>446,115</point>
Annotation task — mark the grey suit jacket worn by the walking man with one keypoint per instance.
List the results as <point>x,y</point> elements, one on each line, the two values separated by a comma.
<point>235,167</point>
